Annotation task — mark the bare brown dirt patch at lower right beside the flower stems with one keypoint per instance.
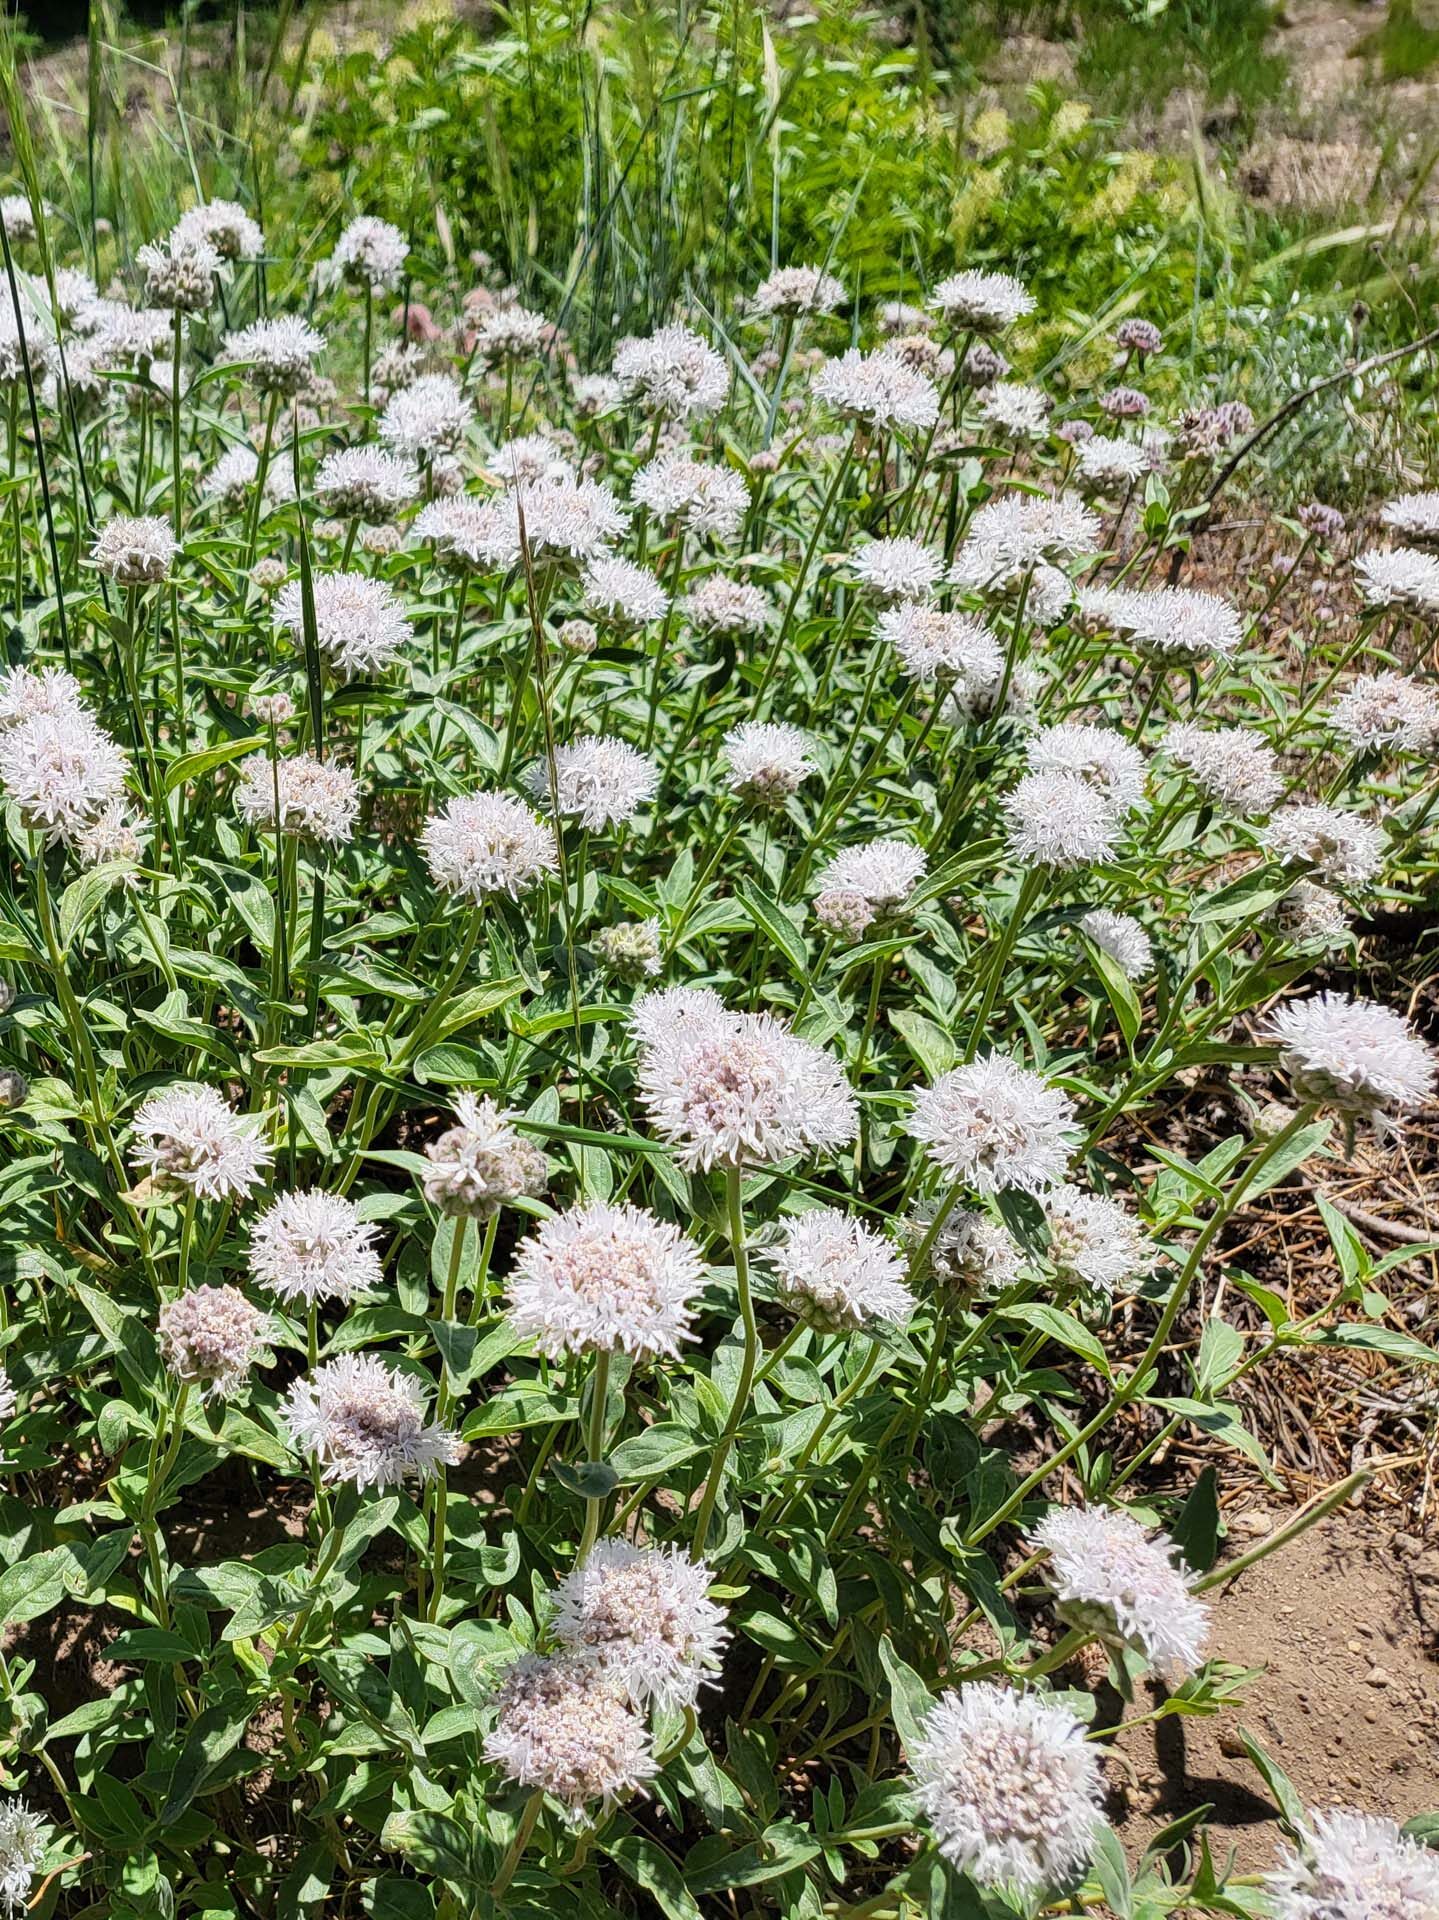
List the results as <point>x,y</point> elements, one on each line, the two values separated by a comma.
<point>1346,1625</point>
